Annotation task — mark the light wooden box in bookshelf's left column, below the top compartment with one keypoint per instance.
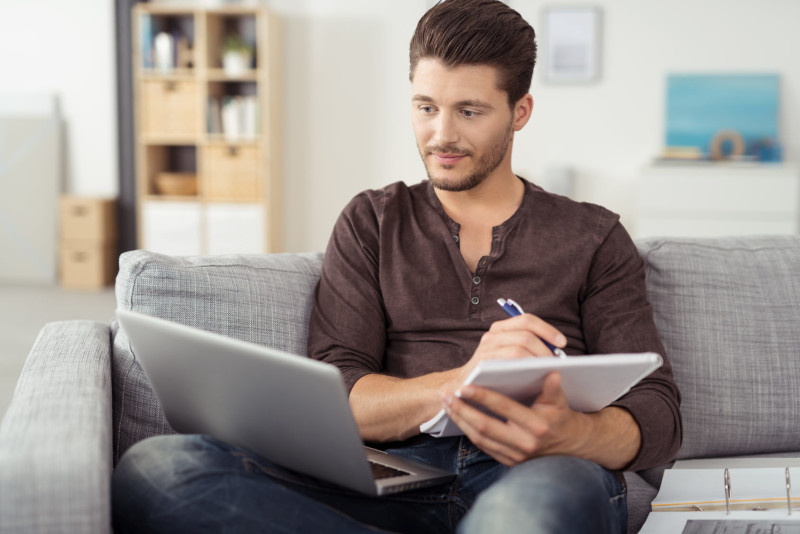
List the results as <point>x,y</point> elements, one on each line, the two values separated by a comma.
<point>169,108</point>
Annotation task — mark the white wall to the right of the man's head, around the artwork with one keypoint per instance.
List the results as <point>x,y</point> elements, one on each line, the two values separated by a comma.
<point>609,130</point>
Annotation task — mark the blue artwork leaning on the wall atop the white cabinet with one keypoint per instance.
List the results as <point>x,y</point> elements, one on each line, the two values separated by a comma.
<point>701,106</point>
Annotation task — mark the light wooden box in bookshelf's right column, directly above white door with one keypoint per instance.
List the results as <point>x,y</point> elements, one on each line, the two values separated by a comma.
<point>232,173</point>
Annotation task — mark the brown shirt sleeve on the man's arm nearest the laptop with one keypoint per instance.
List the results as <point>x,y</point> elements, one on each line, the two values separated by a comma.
<point>348,320</point>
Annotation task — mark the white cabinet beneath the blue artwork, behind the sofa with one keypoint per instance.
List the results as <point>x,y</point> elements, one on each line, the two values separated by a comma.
<point>717,200</point>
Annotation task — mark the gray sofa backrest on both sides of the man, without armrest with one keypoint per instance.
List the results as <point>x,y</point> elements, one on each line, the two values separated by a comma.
<point>728,311</point>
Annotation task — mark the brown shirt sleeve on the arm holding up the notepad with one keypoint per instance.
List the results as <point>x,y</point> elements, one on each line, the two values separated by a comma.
<point>618,318</point>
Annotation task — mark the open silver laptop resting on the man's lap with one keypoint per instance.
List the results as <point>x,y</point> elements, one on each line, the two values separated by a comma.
<point>289,409</point>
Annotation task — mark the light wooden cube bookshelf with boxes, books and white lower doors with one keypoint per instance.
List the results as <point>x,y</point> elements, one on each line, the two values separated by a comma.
<point>207,129</point>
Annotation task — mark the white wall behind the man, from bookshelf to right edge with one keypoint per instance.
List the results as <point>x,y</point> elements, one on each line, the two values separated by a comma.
<point>347,95</point>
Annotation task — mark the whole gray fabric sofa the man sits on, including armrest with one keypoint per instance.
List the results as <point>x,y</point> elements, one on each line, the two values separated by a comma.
<point>728,311</point>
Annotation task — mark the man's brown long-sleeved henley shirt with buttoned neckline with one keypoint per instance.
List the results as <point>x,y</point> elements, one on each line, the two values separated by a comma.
<point>396,296</point>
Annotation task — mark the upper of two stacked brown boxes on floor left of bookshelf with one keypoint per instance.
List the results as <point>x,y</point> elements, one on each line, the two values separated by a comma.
<point>88,219</point>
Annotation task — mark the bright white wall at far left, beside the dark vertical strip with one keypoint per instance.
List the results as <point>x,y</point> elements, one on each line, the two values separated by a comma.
<point>66,48</point>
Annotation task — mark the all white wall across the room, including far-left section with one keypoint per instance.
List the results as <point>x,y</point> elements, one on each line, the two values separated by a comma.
<point>347,91</point>
